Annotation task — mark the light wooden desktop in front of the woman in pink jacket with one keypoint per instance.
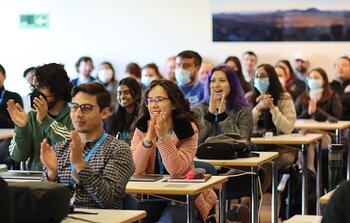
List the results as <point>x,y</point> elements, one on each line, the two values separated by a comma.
<point>162,187</point>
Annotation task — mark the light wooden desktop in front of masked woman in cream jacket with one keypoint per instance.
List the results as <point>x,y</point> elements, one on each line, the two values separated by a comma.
<point>290,139</point>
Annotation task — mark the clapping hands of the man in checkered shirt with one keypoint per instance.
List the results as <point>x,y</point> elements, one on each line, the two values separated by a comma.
<point>49,158</point>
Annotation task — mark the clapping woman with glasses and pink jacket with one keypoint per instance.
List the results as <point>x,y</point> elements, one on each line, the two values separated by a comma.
<point>165,142</point>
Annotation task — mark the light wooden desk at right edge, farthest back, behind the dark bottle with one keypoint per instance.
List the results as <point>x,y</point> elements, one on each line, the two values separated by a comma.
<point>337,127</point>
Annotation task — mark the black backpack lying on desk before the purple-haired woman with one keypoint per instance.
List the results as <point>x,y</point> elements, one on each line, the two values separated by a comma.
<point>225,146</point>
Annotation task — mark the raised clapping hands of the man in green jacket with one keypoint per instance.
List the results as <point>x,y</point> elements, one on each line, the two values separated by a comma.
<point>20,117</point>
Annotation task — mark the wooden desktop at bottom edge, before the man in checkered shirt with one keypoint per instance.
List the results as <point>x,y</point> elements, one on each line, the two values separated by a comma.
<point>105,215</point>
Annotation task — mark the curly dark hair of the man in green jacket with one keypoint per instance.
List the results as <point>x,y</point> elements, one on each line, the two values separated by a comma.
<point>54,77</point>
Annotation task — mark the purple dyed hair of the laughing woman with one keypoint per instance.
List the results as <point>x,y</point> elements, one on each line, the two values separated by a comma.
<point>235,100</point>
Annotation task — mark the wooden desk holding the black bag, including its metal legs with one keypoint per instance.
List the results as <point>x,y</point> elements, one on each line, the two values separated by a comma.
<point>254,163</point>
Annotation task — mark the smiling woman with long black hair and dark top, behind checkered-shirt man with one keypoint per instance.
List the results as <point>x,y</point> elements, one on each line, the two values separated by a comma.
<point>129,97</point>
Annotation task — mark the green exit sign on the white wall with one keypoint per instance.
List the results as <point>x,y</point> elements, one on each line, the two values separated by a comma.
<point>34,21</point>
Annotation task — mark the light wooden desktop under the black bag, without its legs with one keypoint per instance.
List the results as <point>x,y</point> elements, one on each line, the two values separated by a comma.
<point>251,161</point>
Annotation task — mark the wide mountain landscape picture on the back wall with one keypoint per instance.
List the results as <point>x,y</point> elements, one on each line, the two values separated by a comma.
<point>288,20</point>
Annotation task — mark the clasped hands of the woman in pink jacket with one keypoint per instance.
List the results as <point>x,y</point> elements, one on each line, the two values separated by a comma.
<point>157,127</point>
